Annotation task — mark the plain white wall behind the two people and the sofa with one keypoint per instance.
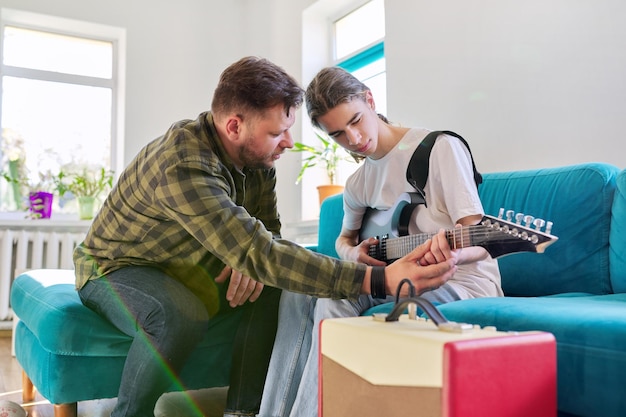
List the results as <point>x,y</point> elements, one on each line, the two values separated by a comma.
<point>529,84</point>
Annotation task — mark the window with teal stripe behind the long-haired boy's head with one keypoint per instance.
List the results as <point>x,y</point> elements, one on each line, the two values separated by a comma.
<point>349,34</point>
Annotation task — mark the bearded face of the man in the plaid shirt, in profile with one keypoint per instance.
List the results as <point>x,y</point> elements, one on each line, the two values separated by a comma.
<point>265,138</point>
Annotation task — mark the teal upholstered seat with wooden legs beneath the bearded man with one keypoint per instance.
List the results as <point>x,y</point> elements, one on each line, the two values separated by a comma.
<point>70,354</point>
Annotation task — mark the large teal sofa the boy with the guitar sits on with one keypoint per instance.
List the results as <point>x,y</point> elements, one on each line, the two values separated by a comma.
<point>576,289</point>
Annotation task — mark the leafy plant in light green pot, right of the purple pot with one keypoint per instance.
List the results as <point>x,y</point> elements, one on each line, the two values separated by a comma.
<point>86,185</point>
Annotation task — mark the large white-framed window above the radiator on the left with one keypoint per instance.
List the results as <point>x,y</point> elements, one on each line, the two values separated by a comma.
<point>61,89</point>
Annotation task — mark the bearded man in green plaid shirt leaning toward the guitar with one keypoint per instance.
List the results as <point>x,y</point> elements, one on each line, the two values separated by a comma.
<point>198,206</point>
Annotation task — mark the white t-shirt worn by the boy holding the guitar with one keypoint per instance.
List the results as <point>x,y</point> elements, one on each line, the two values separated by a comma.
<point>450,195</point>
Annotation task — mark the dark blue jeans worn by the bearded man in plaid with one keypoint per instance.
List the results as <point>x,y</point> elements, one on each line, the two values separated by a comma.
<point>167,321</point>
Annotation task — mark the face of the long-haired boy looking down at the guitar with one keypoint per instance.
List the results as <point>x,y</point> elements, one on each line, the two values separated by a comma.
<point>353,125</point>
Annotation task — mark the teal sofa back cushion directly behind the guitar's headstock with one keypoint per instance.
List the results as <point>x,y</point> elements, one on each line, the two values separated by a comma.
<point>578,200</point>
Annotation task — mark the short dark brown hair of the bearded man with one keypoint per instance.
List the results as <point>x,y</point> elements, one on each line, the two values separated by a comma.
<point>253,85</point>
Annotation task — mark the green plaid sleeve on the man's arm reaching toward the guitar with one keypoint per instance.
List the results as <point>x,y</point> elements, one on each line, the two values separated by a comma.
<point>202,199</point>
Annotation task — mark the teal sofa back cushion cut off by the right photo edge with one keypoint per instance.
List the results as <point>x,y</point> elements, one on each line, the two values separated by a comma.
<point>617,250</point>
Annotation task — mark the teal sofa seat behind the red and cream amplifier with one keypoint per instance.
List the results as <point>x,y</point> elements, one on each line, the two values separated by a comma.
<point>590,332</point>
